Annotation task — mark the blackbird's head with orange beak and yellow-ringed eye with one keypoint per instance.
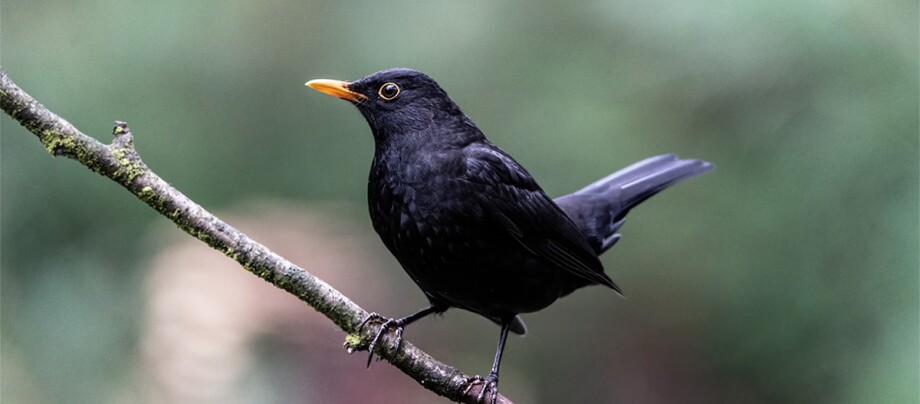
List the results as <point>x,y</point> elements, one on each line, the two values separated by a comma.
<point>397,102</point>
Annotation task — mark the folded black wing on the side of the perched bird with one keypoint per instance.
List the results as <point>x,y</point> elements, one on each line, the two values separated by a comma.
<point>506,191</point>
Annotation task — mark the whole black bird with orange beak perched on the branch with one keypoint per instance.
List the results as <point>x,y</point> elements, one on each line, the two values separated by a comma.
<point>468,224</point>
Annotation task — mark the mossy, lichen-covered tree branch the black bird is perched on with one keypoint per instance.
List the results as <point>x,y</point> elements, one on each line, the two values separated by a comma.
<point>120,162</point>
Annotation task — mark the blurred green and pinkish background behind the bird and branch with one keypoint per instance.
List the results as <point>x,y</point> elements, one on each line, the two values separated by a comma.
<point>788,275</point>
